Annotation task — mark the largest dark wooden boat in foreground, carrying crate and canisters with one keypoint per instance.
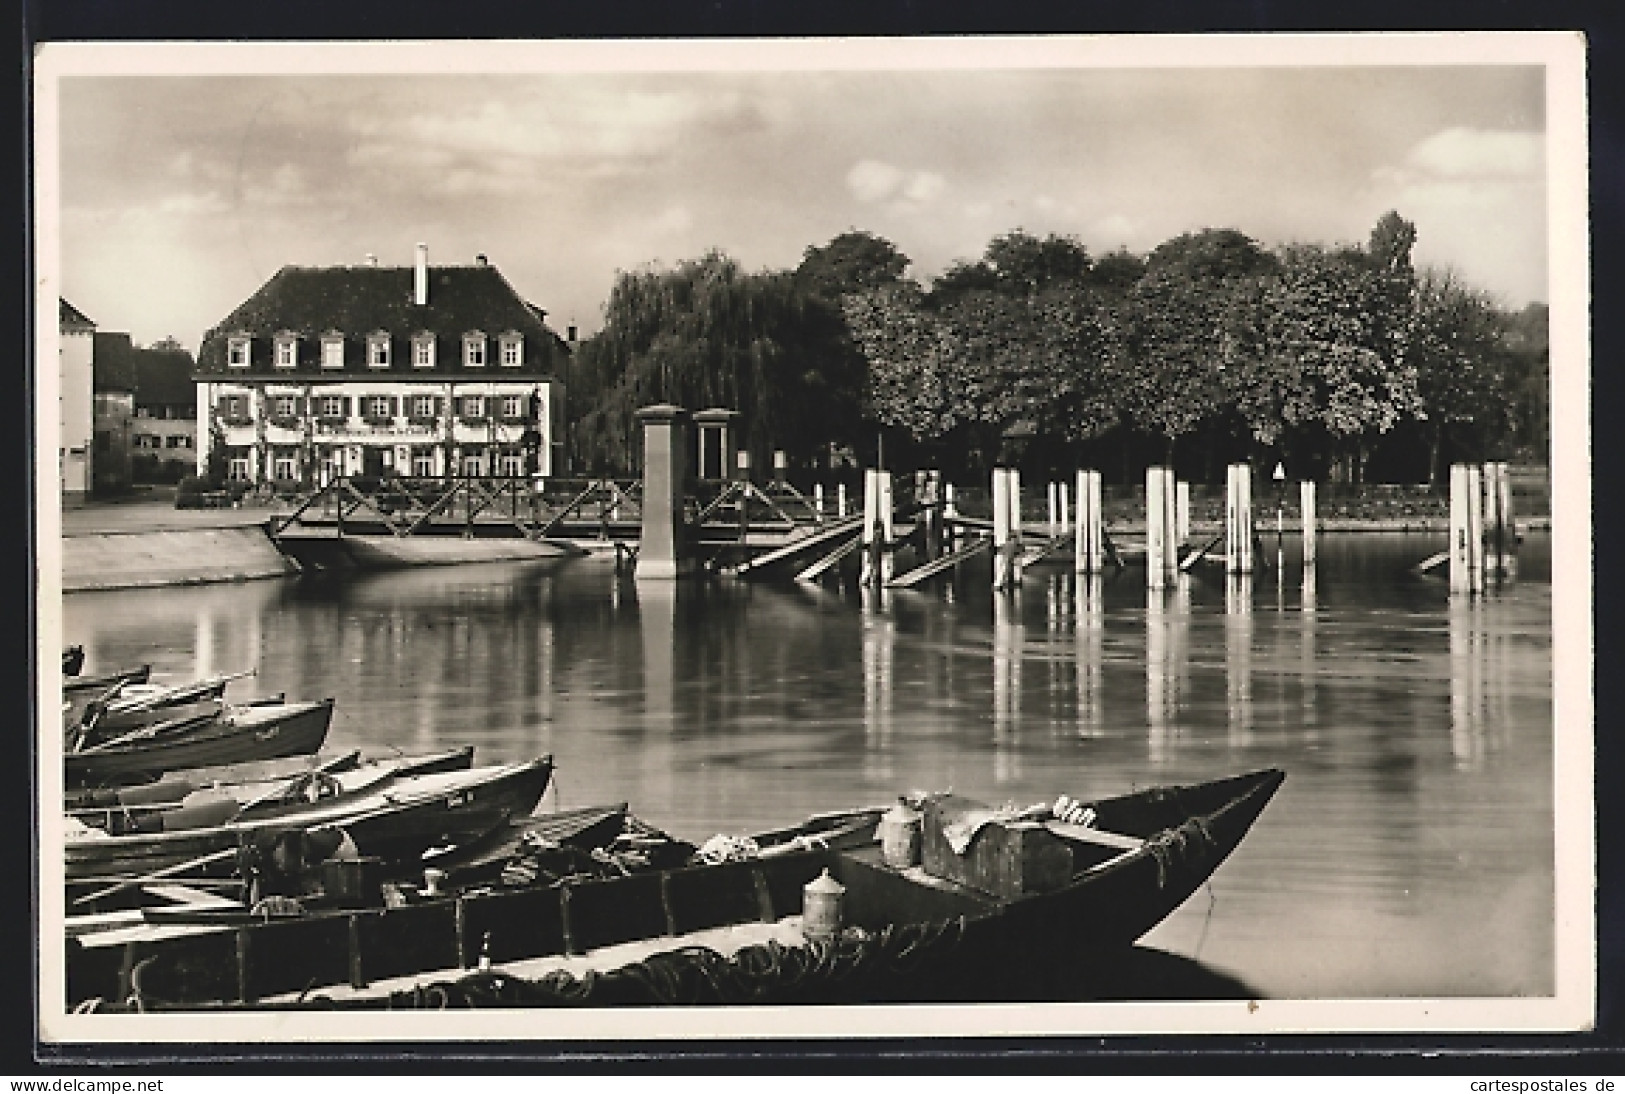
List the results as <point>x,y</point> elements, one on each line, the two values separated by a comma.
<point>732,934</point>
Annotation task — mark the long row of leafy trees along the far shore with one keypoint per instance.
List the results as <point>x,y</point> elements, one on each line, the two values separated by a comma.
<point>1343,362</point>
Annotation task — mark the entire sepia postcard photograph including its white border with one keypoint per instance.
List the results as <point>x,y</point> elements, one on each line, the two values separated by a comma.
<point>813,539</point>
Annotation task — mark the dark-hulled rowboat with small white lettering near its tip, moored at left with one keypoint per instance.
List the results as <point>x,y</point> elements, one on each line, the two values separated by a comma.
<point>238,734</point>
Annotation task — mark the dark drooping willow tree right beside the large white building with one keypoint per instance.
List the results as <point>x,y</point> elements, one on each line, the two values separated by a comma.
<point>708,334</point>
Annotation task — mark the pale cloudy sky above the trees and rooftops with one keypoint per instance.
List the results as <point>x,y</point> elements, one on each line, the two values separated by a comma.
<point>181,196</point>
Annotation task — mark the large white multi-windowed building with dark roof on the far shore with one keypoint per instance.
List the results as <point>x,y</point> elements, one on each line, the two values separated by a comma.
<point>417,371</point>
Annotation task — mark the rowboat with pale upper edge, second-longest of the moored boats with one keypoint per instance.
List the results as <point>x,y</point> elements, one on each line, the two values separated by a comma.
<point>394,822</point>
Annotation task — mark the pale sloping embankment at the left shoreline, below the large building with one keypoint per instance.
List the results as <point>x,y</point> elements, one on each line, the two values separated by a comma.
<point>170,557</point>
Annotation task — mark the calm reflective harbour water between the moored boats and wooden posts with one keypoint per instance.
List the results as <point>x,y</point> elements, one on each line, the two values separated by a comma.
<point>1408,854</point>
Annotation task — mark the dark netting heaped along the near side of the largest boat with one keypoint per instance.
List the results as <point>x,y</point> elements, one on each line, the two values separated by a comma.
<point>856,966</point>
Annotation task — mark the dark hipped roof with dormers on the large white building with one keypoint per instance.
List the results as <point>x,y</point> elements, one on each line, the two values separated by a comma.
<point>360,302</point>
